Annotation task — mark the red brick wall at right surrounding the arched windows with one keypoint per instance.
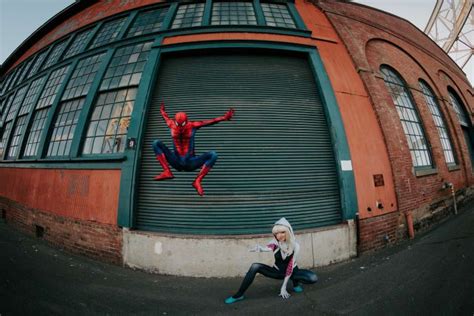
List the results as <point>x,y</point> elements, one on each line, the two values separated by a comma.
<point>373,38</point>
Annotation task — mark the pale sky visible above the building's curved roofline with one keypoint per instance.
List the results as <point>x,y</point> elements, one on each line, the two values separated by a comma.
<point>14,29</point>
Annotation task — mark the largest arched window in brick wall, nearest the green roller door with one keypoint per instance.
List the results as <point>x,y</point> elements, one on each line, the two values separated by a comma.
<point>419,149</point>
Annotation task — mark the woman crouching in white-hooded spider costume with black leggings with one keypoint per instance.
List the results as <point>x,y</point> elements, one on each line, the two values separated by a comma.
<point>285,249</point>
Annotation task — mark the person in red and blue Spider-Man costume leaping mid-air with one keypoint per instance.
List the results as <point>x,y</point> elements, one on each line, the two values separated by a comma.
<point>183,157</point>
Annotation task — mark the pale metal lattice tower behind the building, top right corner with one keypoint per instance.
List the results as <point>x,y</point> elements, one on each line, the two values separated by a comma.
<point>451,26</point>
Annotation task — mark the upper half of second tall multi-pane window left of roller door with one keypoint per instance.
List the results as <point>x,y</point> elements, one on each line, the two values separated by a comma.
<point>81,79</point>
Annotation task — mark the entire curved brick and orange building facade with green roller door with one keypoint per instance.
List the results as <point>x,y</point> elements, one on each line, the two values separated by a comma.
<point>349,122</point>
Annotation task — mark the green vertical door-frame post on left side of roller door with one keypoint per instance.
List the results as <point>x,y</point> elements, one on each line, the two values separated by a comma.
<point>136,130</point>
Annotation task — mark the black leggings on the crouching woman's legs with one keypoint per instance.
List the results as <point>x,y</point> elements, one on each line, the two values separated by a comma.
<point>299,275</point>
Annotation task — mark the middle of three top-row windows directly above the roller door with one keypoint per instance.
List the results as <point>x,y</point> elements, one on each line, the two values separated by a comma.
<point>233,13</point>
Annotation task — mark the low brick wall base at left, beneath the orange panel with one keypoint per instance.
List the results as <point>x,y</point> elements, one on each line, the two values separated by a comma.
<point>92,239</point>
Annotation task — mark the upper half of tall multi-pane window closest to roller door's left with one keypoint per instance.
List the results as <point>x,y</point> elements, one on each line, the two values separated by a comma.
<point>126,66</point>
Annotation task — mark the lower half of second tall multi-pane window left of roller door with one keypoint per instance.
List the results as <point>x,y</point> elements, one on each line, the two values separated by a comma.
<point>64,127</point>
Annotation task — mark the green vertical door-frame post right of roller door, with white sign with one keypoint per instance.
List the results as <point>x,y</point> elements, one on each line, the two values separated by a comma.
<point>338,135</point>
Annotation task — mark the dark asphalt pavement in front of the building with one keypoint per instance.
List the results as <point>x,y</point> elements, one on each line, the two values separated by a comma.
<point>430,275</point>
